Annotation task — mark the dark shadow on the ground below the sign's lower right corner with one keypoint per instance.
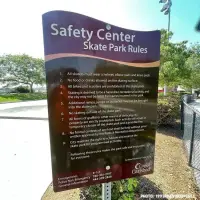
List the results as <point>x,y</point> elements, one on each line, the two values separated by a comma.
<point>147,187</point>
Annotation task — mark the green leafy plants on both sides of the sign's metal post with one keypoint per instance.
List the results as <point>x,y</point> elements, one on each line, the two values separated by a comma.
<point>121,190</point>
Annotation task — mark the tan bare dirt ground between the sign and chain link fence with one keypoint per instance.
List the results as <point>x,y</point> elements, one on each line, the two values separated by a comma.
<point>172,175</point>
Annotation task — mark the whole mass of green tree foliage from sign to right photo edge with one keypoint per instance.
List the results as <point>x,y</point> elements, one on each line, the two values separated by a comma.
<point>180,64</point>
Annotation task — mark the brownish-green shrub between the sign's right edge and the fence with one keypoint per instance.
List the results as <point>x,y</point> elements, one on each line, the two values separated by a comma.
<point>168,110</point>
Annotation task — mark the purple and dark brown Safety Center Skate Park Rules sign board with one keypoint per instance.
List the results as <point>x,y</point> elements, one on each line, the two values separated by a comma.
<point>102,84</point>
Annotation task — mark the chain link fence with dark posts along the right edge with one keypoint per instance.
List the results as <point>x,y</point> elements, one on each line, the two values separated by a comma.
<point>190,124</point>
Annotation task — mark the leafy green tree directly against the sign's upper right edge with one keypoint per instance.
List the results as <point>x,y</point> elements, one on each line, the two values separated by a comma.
<point>173,58</point>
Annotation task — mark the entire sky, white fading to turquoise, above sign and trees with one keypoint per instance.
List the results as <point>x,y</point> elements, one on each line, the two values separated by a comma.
<point>21,20</point>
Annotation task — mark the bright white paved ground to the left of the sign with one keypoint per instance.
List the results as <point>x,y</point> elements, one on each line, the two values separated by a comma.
<point>24,152</point>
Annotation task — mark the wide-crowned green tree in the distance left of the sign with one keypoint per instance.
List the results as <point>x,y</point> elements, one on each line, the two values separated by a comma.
<point>21,70</point>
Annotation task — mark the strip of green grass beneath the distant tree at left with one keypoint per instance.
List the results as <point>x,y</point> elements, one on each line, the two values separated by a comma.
<point>22,97</point>
